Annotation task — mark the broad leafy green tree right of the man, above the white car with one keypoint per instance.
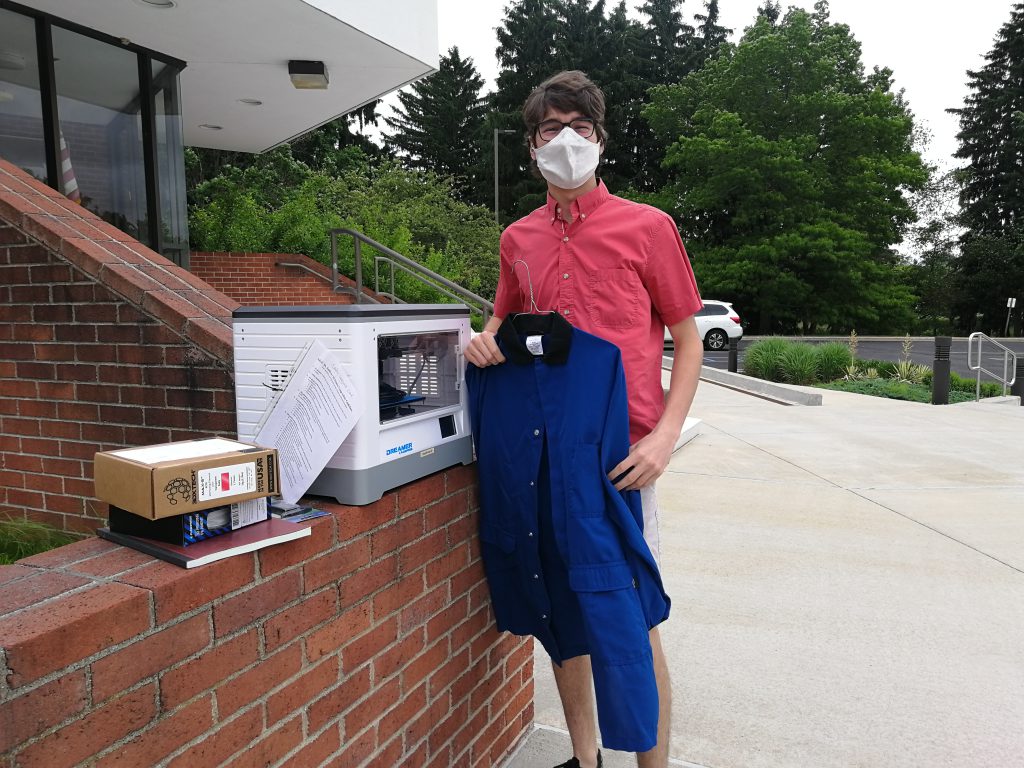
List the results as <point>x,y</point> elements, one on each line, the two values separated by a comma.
<point>790,169</point>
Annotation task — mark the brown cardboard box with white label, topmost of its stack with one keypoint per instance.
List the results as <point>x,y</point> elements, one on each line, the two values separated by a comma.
<point>176,479</point>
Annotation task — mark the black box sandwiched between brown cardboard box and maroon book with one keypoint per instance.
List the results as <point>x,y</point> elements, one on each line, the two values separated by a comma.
<point>194,527</point>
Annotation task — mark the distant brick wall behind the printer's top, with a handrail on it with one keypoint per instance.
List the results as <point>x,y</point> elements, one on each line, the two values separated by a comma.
<point>262,279</point>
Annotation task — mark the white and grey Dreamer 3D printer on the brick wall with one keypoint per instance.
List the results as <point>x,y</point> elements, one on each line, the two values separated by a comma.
<point>408,361</point>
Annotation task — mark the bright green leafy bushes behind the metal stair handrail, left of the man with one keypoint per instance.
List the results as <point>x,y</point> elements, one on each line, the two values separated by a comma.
<point>281,205</point>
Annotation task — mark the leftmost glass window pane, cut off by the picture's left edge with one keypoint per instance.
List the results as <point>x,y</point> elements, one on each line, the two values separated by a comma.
<point>21,106</point>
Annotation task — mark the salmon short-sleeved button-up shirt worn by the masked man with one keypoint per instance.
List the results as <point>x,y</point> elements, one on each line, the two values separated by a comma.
<point>619,271</point>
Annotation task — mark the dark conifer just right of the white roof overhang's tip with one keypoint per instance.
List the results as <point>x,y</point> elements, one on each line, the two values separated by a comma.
<point>439,125</point>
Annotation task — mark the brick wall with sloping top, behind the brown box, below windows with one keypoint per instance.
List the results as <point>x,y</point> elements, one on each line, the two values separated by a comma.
<point>104,344</point>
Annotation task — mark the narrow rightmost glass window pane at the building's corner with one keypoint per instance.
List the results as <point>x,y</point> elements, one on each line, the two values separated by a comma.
<point>174,237</point>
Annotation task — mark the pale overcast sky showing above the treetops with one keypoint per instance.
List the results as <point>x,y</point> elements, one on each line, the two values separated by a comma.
<point>928,45</point>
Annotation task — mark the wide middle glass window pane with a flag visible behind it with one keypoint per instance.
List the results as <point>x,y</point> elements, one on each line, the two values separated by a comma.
<point>100,109</point>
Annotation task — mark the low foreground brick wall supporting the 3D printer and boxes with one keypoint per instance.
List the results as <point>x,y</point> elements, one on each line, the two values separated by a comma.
<point>369,644</point>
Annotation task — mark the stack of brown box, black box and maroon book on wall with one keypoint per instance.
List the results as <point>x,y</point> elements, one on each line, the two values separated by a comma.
<point>193,502</point>
